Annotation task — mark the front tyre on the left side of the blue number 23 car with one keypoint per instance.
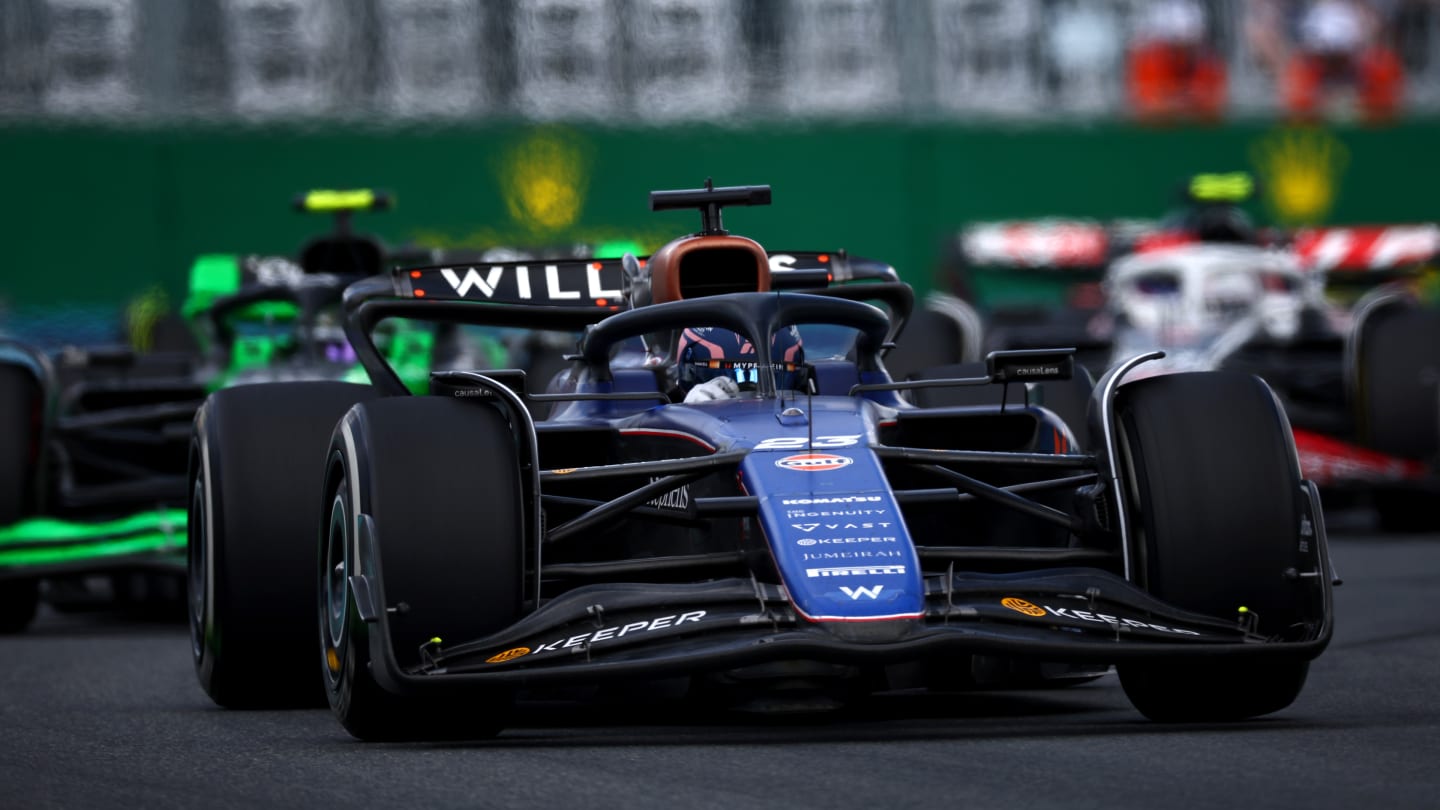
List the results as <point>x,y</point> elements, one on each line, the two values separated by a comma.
<point>438,484</point>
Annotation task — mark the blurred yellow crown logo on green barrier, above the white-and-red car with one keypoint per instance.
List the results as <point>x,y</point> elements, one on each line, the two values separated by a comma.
<point>1300,169</point>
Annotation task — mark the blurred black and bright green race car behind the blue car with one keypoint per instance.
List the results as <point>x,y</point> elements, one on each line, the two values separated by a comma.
<point>93,475</point>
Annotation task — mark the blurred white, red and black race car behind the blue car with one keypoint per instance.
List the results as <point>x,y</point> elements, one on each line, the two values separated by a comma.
<point>1334,319</point>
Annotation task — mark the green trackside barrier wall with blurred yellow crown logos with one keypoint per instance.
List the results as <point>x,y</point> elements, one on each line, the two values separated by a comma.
<point>97,215</point>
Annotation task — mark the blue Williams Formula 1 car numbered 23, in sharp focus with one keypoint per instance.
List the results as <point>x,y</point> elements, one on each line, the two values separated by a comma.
<point>809,535</point>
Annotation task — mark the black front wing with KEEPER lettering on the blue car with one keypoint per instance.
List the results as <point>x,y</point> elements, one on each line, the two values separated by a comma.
<point>624,632</point>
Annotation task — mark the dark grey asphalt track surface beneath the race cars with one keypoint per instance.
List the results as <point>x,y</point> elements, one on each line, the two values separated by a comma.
<point>102,711</point>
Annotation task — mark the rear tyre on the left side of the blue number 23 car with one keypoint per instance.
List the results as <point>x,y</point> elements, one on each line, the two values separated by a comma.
<point>257,476</point>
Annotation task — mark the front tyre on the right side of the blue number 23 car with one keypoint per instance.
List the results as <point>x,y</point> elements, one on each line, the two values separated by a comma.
<point>1213,469</point>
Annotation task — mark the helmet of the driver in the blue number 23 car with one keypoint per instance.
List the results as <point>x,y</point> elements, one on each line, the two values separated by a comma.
<point>709,352</point>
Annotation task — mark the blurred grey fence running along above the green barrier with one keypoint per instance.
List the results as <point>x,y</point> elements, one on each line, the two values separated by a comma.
<point>663,61</point>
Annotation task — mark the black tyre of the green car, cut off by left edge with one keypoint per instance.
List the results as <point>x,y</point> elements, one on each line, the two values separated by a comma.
<point>21,401</point>
